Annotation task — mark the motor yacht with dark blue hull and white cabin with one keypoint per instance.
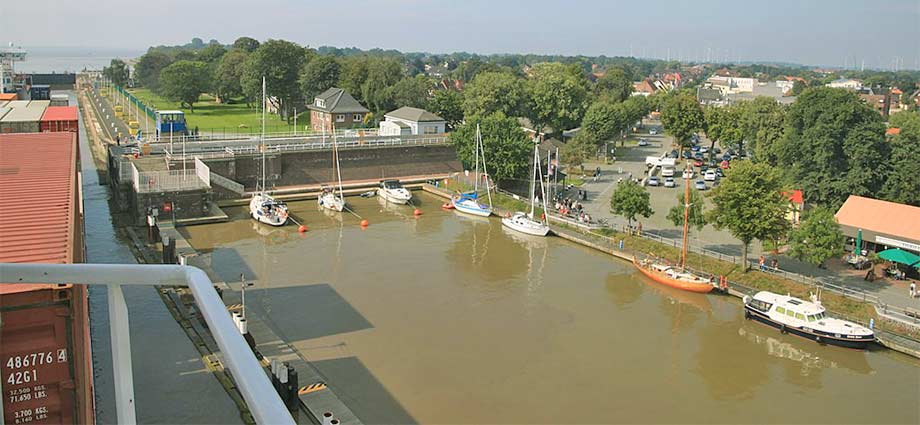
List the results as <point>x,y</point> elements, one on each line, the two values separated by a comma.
<point>807,319</point>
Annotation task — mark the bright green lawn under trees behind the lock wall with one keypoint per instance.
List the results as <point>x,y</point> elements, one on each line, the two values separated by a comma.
<point>212,117</point>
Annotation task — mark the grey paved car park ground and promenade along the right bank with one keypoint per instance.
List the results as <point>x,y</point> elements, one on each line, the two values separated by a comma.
<point>631,159</point>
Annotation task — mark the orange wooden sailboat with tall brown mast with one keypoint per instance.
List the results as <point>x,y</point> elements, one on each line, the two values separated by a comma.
<point>676,277</point>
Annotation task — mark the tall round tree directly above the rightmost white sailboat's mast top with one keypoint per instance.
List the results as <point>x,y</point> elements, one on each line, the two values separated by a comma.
<point>558,98</point>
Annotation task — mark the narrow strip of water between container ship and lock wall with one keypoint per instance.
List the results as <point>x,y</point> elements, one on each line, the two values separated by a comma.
<point>171,383</point>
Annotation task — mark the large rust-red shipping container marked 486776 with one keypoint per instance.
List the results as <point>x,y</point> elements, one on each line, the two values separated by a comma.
<point>45,358</point>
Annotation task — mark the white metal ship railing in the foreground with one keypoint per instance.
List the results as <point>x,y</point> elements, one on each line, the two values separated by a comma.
<point>263,401</point>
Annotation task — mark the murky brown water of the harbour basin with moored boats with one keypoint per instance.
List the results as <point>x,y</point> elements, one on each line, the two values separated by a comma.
<point>447,318</point>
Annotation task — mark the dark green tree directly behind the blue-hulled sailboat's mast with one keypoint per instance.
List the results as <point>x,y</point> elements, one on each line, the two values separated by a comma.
<point>508,149</point>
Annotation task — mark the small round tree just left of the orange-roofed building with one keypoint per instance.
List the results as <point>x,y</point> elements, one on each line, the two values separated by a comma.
<point>817,238</point>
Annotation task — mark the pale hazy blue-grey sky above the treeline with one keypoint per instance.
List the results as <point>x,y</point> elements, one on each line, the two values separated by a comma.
<point>878,33</point>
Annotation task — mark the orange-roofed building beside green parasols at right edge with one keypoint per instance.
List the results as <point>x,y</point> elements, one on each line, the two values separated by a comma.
<point>884,224</point>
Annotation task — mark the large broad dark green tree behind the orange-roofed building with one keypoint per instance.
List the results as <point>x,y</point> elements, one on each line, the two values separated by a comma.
<point>833,145</point>
